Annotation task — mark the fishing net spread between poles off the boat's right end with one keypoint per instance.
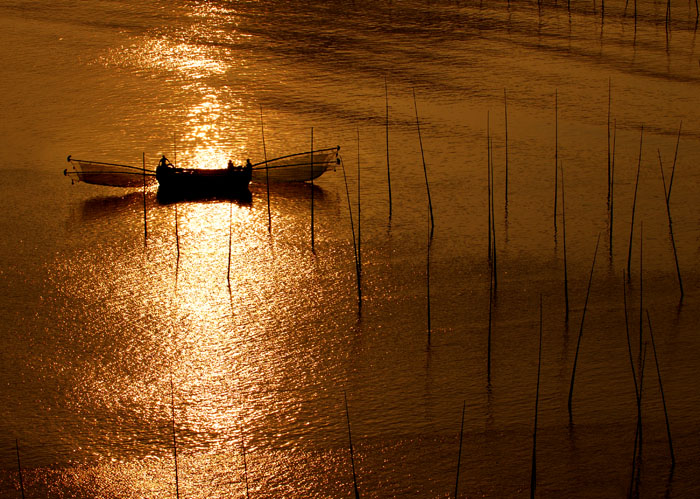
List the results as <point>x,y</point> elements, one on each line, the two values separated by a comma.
<point>298,167</point>
